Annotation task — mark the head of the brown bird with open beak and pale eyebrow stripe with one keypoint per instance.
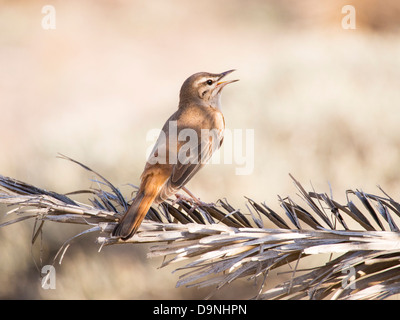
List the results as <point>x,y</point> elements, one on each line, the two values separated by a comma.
<point>204,88</point>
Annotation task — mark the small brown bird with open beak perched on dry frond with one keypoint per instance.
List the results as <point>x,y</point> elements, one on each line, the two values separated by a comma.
<point>186,142</point>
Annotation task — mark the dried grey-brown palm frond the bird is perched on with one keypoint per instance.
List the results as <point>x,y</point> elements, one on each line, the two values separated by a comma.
<point>221,244</point>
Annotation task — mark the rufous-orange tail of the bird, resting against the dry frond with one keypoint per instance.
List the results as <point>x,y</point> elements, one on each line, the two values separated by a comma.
<point>135,215</point>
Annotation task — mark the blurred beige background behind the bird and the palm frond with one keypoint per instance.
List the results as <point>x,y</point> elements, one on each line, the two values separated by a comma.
<point>323,102</point>
